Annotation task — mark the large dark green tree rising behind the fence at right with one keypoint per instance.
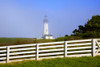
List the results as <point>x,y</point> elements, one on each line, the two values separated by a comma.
<point>90,30</point>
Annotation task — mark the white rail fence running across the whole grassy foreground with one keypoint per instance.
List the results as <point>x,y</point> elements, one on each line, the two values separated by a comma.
<point>74,48</point>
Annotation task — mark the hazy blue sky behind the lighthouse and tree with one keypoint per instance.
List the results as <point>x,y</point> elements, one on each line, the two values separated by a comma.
<point>24,18</point>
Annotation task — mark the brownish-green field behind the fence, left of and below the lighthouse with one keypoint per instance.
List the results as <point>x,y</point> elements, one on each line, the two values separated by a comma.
<point>15,41</point>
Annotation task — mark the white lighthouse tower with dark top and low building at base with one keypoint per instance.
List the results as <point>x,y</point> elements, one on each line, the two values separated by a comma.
<point>46,34</point>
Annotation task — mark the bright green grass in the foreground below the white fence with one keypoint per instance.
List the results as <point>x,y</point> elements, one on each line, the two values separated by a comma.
<point>58,62</point>
